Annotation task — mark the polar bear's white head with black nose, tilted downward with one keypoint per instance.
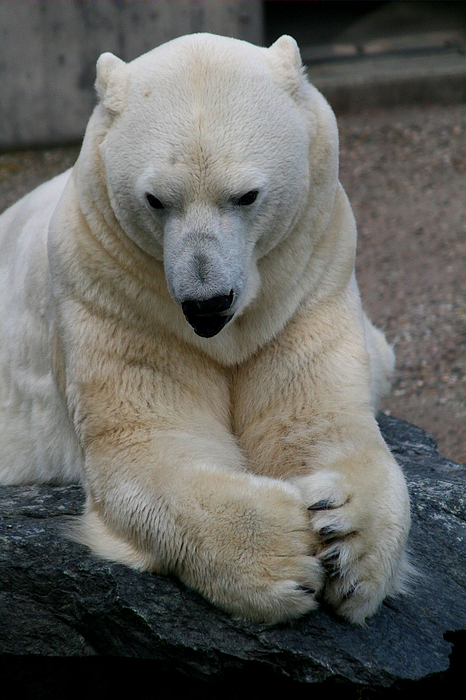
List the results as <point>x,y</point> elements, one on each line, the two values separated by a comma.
<point>205,144</point>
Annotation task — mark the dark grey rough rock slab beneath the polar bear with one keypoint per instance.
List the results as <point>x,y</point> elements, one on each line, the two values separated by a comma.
<point>58,600</point>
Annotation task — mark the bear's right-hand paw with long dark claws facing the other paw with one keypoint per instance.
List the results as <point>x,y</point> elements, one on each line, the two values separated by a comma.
<point>362,535</point>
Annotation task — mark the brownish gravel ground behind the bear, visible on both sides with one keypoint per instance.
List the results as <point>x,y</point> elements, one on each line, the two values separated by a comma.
<point>405,173</point>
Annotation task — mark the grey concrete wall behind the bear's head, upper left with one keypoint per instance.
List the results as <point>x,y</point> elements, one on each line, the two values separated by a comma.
<point>48,51</point>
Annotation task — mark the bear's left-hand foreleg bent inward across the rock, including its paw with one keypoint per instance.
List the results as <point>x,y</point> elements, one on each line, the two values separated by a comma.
<point>167,492</point>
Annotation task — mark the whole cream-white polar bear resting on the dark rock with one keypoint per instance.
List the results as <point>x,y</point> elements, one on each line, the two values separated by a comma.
<point>182,332</point>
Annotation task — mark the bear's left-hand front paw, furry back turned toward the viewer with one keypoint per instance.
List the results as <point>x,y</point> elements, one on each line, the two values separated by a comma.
<point>256,558</point>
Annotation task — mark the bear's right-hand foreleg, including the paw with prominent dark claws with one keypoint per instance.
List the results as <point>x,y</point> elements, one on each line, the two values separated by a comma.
<point>303,412</point>
